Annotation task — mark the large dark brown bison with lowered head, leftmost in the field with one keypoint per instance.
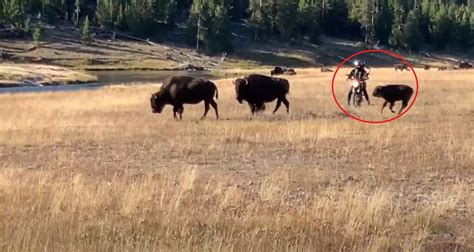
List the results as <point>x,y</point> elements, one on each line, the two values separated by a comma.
<point>179,90</point>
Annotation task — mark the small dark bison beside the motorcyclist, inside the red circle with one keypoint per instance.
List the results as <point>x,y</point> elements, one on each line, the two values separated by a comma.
<point>393,93</point>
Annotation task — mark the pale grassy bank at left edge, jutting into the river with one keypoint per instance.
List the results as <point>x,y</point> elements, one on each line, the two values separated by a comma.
<point>18,75</point>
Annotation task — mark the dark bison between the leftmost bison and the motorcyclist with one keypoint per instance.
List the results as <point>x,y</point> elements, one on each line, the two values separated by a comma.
<point>258,89</point>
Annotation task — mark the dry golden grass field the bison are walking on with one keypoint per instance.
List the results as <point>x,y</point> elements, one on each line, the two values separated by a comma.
<point>95,170</point>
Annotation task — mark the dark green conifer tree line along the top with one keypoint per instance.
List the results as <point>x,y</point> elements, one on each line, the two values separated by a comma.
<point>399,24</point>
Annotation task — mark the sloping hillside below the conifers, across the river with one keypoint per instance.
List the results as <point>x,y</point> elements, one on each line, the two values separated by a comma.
<point>61,46</point>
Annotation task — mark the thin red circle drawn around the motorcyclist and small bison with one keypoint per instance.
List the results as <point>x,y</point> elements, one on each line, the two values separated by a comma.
<point>375,51</point>
